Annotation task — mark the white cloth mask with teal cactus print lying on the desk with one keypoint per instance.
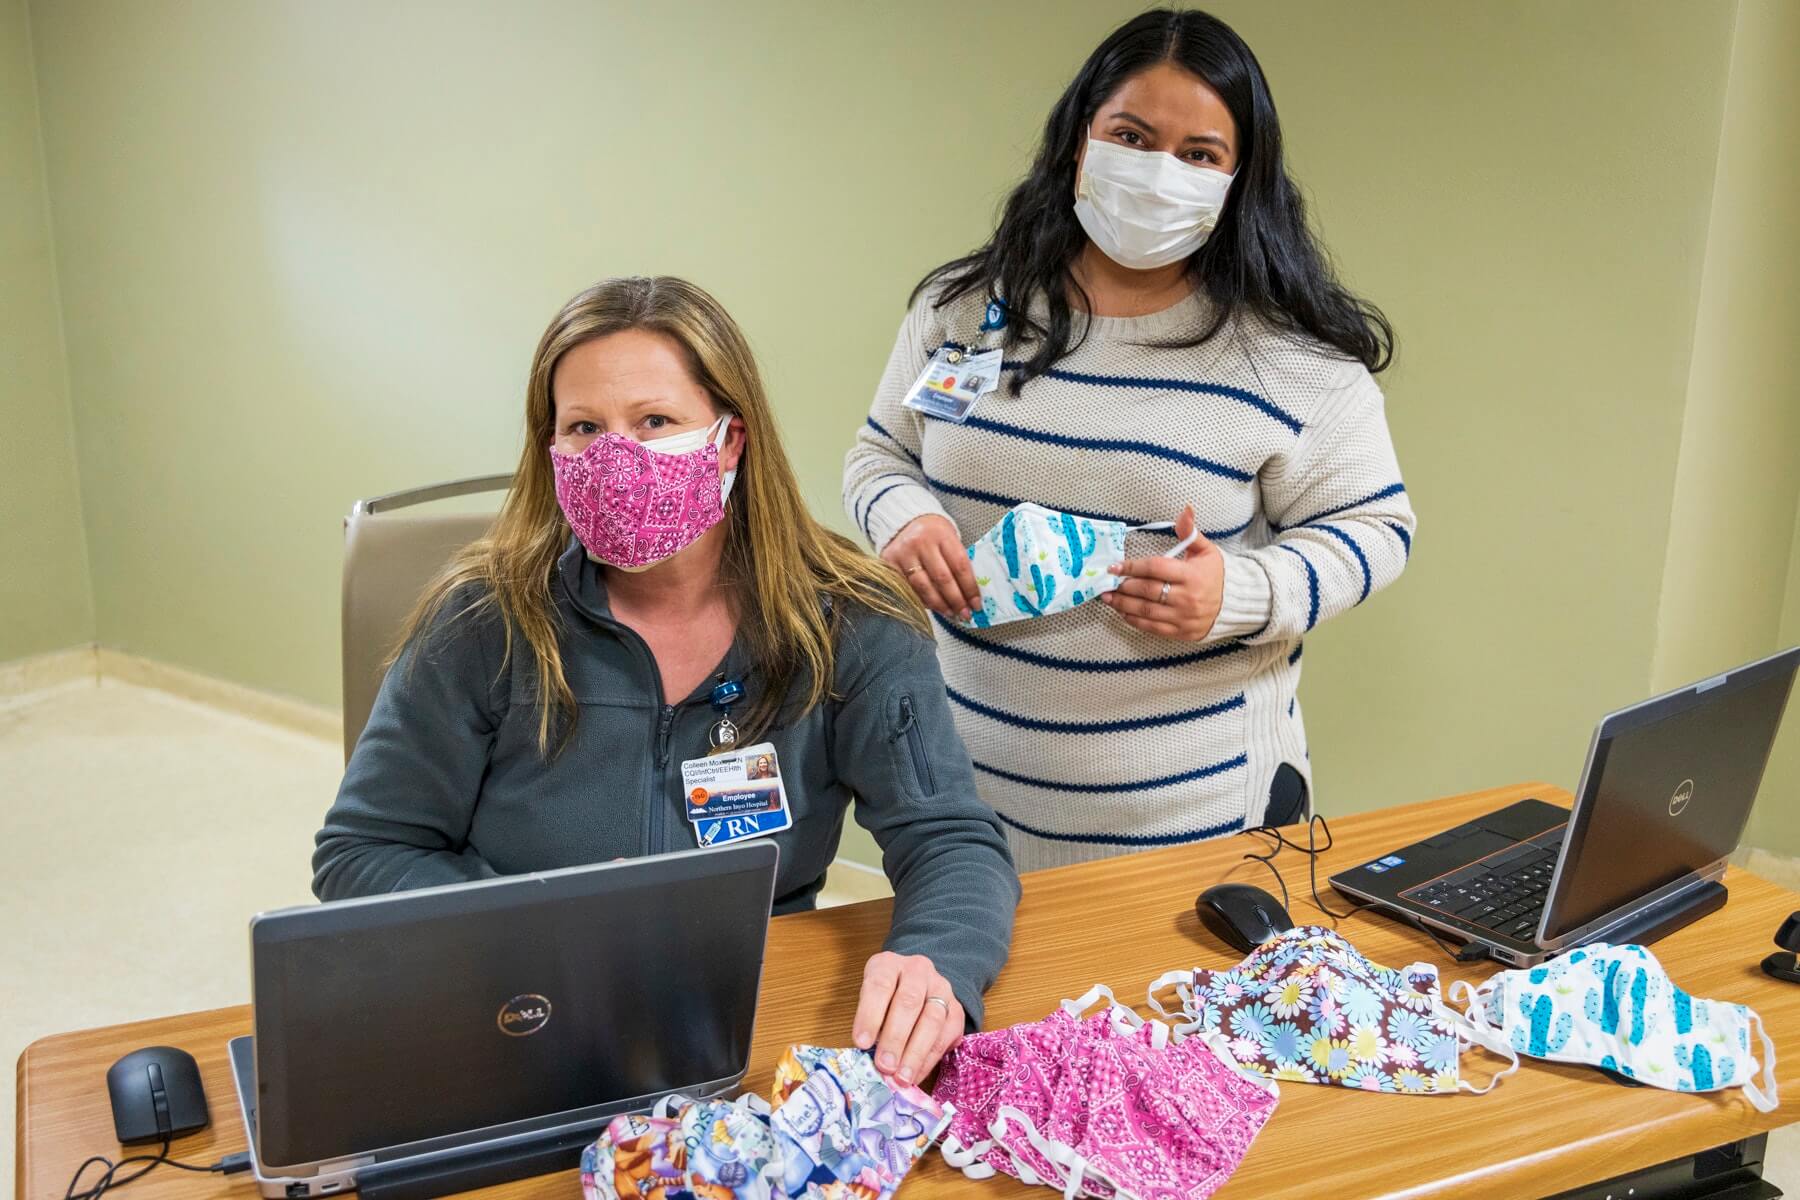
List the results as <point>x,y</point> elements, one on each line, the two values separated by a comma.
<point>1617,1008</point>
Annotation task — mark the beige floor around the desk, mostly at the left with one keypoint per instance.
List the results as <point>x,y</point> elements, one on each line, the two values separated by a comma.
<point>145,830</point>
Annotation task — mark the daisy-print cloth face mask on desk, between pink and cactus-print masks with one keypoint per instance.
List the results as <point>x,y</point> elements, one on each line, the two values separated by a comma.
<point>1308,1007</point>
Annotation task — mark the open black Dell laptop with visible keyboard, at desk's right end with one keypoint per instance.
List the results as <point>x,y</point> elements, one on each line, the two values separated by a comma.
<point>1662,803</point>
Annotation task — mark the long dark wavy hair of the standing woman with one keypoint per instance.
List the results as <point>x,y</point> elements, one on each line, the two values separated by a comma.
<point>1261,258</point>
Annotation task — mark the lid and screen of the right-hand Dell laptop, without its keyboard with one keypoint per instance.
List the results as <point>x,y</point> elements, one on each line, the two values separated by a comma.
<point>1668,791</point>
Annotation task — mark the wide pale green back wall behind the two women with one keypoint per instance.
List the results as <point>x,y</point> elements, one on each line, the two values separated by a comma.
<point>307,249</point>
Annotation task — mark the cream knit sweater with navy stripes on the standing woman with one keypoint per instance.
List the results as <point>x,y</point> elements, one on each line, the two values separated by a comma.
<point>1092,739</point>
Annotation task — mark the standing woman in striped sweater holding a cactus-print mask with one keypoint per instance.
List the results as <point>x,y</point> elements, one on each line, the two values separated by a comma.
<point>1176,348</point>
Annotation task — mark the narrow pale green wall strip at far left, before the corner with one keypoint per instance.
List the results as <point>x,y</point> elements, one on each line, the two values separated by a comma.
<point>44,568</point>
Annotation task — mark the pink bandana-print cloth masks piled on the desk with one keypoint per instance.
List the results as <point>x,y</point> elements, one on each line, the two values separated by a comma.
<point>1101,1106</point>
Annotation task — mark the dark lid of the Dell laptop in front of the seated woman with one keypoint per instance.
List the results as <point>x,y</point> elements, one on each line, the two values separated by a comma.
<point>436,1014</point>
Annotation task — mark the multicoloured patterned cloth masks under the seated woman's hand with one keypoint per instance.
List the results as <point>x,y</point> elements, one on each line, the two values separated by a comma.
<point>836,1131</point>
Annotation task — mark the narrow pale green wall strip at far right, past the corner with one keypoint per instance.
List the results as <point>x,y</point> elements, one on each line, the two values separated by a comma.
<point>1734,506</point>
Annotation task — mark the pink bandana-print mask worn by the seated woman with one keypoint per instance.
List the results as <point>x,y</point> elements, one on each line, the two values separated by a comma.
<point>634,505</point>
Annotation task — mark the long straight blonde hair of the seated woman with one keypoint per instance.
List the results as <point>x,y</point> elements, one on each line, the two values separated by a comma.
<point>791,577</point>
